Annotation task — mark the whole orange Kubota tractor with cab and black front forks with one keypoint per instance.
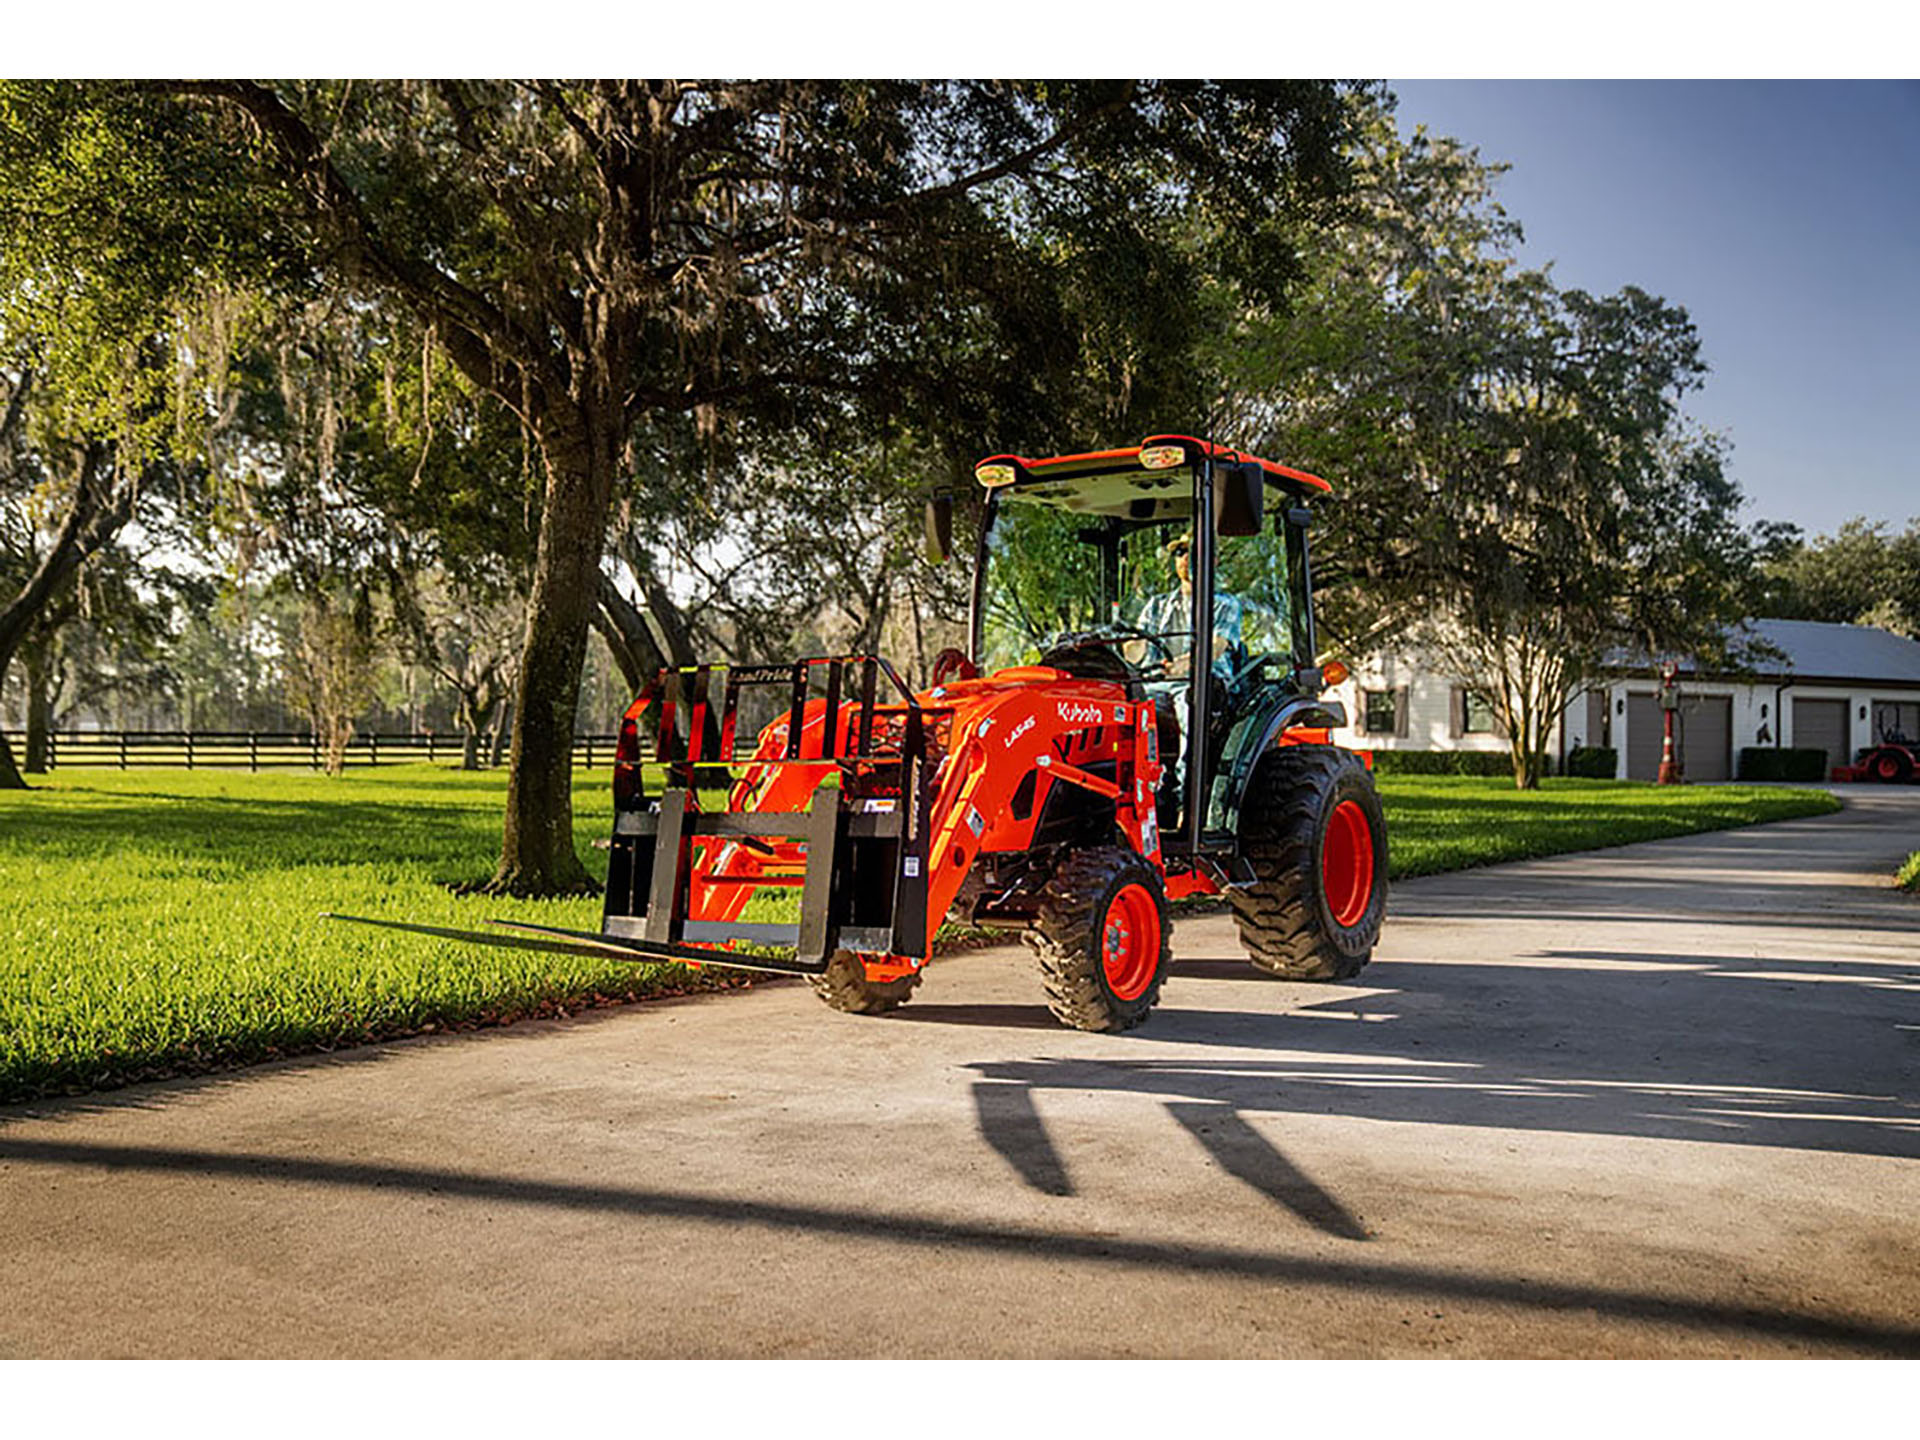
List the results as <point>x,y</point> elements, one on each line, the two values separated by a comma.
<point>1140,717</point>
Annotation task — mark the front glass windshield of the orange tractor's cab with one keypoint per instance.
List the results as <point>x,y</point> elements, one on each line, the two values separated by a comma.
<point>1061,579</point>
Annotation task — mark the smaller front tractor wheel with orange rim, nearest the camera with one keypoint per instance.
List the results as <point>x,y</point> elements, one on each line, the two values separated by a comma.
<point>1103,940</point>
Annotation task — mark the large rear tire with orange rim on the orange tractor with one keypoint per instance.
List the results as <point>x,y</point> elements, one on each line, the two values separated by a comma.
<point>1316,838</point>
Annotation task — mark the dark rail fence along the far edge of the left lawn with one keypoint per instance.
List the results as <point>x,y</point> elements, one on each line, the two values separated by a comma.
<point>262,750</point>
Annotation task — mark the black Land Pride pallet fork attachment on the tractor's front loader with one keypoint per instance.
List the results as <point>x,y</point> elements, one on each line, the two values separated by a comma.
<point>838,809</point>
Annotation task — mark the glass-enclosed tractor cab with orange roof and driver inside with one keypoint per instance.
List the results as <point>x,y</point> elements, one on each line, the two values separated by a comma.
<point>1178,569</point>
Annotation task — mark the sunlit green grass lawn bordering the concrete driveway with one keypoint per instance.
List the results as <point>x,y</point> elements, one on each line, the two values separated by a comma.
<point>162,921</point>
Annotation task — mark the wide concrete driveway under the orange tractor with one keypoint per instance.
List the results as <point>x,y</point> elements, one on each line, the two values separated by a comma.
<point>1656,1101</point>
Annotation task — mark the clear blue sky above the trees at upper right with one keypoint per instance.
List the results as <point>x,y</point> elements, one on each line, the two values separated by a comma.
<point>1783,214</point>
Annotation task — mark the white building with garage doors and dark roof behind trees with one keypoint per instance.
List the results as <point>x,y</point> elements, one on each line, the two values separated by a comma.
<point>1836,688</point>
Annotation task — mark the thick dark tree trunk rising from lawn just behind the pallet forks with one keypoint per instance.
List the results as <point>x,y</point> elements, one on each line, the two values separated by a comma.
<point>539,842</point>
